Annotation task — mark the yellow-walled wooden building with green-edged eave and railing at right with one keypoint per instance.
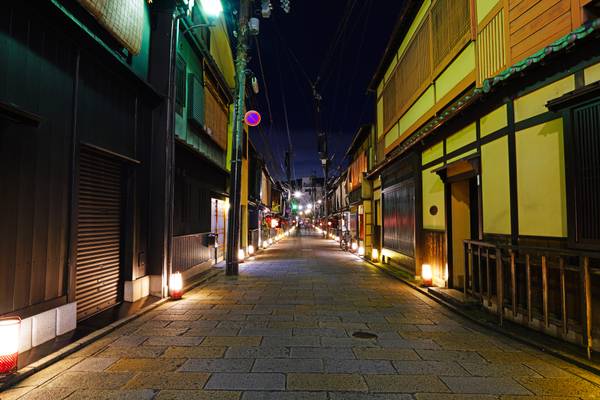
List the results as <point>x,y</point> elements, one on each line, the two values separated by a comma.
<point>487,122</point>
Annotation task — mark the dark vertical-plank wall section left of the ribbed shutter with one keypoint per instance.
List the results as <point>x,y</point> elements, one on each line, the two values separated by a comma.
<point>34,162</point>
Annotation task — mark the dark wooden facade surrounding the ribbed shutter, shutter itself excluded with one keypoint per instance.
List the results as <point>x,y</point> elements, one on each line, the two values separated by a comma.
<point>62,91</point>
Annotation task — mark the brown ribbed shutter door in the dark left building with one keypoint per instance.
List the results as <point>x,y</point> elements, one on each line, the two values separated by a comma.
<point>98,234</point>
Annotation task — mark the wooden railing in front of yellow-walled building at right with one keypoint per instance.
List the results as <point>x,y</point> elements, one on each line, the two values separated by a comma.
<point>554,286</point>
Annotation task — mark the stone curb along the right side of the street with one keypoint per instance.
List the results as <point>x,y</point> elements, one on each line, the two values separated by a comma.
<point>563,355</point>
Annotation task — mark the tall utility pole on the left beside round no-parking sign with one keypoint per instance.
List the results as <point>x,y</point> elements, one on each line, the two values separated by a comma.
<point>241,62</point>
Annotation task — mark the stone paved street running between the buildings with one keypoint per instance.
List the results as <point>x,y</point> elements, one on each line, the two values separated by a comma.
<point>283,330</point>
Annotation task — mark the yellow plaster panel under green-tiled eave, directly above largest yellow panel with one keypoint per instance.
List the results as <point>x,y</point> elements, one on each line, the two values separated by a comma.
<point>534,103</point>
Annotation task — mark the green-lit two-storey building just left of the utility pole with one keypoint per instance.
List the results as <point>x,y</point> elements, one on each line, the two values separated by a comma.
<point>204,85</point>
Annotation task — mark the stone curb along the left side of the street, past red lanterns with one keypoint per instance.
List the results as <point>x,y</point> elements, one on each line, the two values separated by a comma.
<point>62,353</point>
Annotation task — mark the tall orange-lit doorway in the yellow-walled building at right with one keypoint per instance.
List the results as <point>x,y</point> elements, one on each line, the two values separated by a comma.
<point>464,222</point>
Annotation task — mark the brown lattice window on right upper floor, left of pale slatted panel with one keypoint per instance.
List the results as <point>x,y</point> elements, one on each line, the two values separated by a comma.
<point>451,22</point>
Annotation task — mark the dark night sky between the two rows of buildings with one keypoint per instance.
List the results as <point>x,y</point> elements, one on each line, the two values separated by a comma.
<point>298,47</point>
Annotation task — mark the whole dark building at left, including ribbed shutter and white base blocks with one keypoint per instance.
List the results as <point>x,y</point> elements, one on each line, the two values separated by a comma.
<point>77,102</point>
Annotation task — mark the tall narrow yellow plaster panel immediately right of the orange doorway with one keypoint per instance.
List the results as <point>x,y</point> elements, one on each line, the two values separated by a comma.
<point>495,185</point>
